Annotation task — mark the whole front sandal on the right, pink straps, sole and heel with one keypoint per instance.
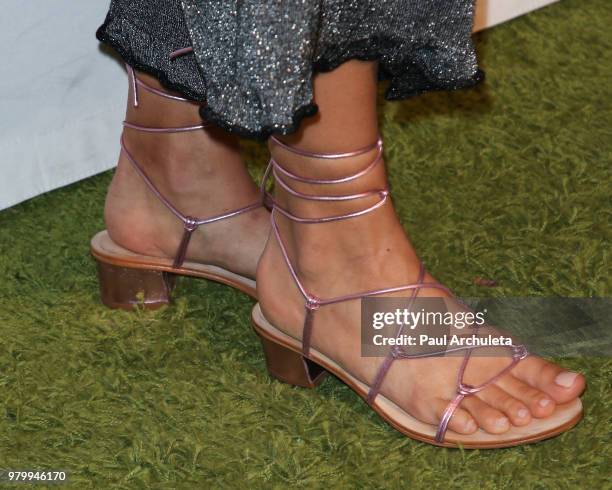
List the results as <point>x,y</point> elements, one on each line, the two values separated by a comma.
<point>296,362</point>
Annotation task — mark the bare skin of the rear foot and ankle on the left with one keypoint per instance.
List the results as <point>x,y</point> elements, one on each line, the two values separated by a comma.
<point>201,173</point>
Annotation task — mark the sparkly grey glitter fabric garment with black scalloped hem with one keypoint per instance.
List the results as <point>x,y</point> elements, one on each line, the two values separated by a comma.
<point>253,60</point>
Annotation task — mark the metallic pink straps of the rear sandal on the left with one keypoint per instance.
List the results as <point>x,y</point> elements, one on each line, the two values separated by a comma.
<point>190,223</point>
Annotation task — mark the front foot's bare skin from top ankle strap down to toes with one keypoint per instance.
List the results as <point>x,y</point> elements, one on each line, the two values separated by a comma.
<point>370,252</point>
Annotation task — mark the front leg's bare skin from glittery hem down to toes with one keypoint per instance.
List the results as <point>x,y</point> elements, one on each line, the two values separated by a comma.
<point>372,252</point>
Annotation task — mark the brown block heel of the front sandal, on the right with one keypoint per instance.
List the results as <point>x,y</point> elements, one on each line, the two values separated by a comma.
<point>291,367</point>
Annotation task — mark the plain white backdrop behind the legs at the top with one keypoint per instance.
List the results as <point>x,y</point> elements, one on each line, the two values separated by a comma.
<point>62,98</point>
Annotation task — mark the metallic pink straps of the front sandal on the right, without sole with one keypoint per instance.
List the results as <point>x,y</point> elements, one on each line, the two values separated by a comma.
<point>313,303</point>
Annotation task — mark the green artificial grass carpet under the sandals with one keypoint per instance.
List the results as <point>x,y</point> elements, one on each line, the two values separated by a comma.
<point>519,169</point>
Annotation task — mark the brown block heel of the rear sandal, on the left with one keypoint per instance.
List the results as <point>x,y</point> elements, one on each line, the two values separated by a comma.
<point>126,287</point>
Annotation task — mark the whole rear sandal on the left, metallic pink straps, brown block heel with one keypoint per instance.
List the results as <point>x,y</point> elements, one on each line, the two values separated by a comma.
<point>127,278</point>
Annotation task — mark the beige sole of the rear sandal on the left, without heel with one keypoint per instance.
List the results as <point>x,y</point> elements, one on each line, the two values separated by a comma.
<point>105,250</point>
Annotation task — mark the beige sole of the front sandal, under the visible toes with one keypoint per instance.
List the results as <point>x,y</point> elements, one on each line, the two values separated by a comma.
<point>563,418</point>
